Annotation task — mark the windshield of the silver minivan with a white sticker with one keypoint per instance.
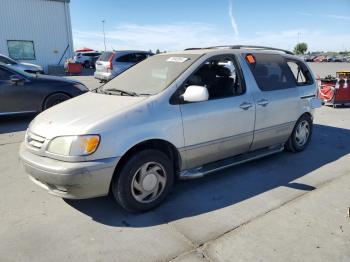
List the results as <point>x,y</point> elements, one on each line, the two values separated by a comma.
<point>152,75</point>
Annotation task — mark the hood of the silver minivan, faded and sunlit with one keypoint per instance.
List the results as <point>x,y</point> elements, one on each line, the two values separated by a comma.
<point>80,115</point>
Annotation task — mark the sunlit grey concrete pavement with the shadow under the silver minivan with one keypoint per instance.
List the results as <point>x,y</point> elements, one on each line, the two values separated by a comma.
<point>285,207</point>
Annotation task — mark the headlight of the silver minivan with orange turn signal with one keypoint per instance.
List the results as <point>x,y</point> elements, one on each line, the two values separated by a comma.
<point>74,145</point>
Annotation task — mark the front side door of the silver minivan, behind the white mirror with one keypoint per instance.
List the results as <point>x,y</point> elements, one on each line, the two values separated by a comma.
<point>223,126</point>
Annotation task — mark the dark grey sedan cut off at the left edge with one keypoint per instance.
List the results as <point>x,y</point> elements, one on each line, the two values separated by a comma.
<point>21,92</point>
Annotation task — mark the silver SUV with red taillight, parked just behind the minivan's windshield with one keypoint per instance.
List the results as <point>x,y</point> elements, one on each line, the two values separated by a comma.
<point>111,64</point>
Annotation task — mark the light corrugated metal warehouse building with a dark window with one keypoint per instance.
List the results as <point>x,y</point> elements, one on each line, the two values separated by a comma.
<point>36,31</point>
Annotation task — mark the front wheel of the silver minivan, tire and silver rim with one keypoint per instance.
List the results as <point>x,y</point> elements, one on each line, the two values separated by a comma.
<point>137,189</point>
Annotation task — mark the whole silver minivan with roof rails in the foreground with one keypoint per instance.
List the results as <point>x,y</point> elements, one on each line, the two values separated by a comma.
<point>175,115</point>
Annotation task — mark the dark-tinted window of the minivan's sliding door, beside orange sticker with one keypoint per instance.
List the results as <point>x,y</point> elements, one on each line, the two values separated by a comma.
<point>271,72</point>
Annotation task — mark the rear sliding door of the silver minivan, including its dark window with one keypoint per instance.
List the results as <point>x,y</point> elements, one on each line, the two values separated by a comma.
<point>277,100</point>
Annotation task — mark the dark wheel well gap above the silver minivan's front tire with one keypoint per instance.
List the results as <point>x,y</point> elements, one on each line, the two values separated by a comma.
<point>167,148</point>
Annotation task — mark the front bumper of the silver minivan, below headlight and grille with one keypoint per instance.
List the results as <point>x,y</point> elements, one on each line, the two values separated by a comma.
<point>75,180</point>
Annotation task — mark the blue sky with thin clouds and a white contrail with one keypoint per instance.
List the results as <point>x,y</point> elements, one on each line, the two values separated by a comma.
<point>177,24</point>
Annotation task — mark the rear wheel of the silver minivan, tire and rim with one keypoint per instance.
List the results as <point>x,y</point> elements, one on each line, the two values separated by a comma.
<point>301,135</point>
